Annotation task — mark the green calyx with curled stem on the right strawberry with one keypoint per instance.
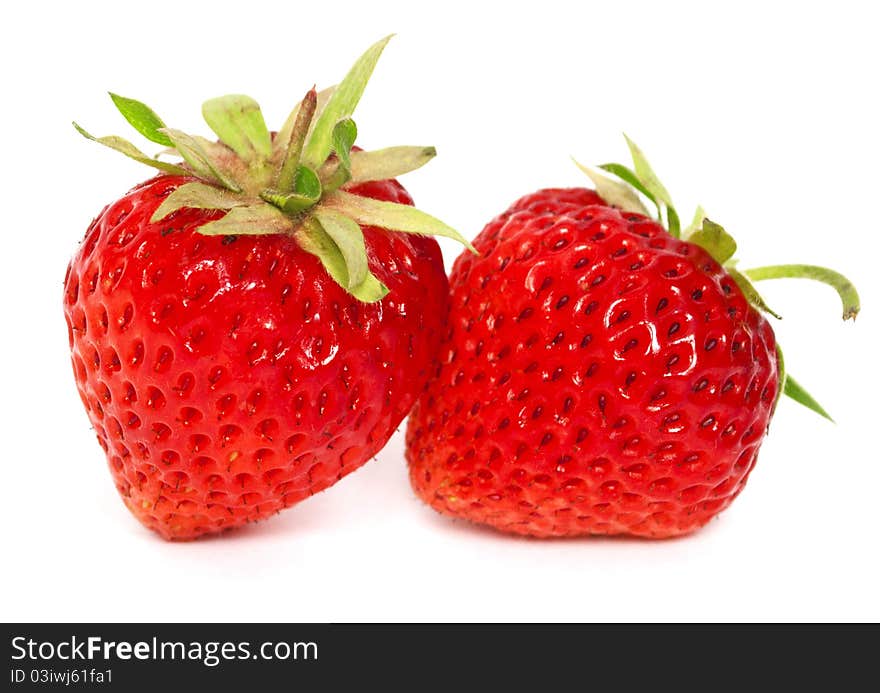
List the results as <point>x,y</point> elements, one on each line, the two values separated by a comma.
<point>626,190</point>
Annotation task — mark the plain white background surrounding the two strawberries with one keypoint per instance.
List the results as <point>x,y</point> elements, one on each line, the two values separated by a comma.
<point>766,113</point>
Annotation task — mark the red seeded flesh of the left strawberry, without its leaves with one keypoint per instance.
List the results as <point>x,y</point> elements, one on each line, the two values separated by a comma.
<point>230,377</point>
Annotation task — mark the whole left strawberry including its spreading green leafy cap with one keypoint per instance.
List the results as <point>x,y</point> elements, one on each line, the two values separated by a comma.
<point>251,325</point>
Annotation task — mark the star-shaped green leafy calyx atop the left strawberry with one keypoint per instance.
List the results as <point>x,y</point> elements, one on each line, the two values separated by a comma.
<point>292,184</point>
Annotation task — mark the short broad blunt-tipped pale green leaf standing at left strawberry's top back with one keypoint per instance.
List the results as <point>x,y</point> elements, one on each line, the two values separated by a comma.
<point>238,121</point>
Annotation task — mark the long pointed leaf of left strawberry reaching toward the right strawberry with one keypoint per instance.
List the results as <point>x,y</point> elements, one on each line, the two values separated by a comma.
<point>390,215</point>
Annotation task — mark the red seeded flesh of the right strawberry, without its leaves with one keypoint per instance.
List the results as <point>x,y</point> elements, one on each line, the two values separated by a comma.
<point>598,377</point>
